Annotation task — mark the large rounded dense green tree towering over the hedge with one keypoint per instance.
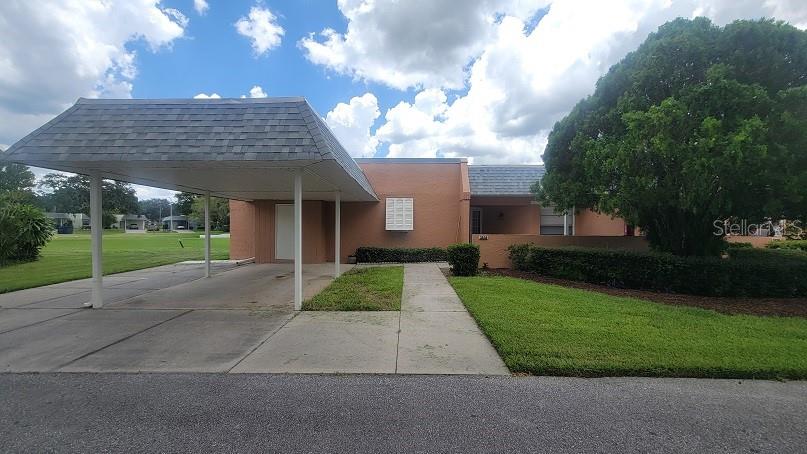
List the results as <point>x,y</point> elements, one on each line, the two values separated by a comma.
<point>701,123</point>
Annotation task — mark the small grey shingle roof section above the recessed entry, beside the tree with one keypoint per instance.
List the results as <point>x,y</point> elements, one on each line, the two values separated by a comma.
<point>504,180</point>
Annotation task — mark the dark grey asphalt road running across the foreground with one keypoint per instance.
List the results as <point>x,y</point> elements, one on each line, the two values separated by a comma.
<point>291,413</point>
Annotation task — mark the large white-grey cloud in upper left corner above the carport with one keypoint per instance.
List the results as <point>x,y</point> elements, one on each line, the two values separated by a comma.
<point>55,52</point>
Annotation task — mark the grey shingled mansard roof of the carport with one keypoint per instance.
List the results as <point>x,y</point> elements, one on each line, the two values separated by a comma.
<point>268,129</point>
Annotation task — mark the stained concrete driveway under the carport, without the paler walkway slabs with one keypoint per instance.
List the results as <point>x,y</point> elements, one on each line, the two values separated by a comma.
<point>167,318</point>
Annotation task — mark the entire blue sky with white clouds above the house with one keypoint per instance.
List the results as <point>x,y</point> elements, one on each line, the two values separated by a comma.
<point>416,78</point>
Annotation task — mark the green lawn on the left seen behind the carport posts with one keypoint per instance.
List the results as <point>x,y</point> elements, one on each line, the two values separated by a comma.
<point>67,257</point>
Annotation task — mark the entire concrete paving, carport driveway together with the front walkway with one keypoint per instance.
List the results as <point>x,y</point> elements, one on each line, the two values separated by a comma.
<point>171,319</point>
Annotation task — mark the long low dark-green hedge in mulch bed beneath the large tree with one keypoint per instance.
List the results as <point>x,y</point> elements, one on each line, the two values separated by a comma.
<point>746,272</point>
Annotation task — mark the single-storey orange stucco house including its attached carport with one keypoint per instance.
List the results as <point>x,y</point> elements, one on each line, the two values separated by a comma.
<point>297,194</point>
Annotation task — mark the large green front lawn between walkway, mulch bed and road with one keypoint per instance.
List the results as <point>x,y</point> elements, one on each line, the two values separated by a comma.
<point>551,330</point>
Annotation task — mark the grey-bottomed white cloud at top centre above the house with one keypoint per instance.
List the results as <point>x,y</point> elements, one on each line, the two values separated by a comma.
<point>413,43</point>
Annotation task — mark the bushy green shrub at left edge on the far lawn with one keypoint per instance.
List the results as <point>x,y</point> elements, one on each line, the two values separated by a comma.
<point>24,230</point>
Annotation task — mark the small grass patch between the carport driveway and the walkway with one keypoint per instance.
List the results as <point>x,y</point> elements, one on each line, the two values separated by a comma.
<point>361,289</point>
